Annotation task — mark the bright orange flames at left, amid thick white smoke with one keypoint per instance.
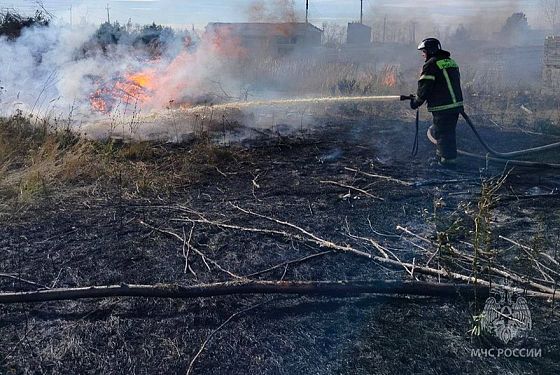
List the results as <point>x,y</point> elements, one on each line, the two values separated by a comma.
<point>132,88</point>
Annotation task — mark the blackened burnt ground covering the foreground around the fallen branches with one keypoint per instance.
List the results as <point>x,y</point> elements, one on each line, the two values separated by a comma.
<point>95,236</point>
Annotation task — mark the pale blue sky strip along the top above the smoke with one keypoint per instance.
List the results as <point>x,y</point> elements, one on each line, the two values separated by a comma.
<point>200,12</point>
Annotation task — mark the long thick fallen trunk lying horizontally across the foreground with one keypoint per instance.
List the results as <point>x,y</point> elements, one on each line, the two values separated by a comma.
<point>324,288</point>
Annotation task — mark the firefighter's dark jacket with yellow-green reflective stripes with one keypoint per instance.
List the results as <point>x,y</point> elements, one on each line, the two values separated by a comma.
<point>440,84</point>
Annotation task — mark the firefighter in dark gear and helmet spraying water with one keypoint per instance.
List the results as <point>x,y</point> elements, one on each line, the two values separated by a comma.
<point>440,85</point>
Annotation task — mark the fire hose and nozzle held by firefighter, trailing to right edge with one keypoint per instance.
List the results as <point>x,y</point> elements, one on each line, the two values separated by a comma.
<point>501,157</point>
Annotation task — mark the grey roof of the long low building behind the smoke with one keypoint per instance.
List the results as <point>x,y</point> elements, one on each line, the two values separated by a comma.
<point>261,29</point>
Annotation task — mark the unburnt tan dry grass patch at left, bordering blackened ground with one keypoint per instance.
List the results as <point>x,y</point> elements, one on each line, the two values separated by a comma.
<point>37,160</point>
